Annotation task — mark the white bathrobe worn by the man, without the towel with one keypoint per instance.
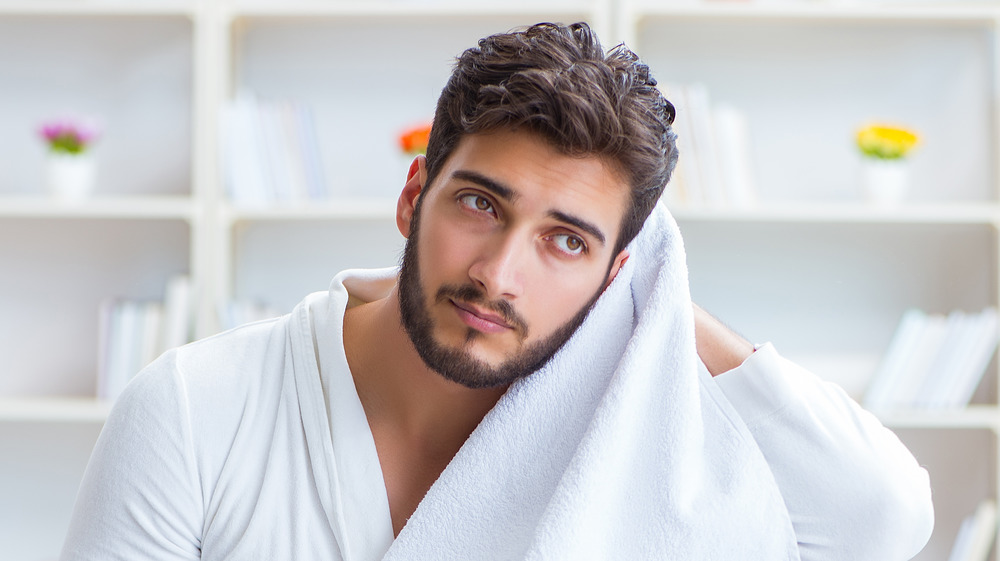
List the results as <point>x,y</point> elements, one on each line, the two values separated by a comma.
<point>220,451</point>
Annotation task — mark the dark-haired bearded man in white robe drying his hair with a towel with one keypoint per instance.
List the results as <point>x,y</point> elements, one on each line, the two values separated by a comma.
<point>405,415</point>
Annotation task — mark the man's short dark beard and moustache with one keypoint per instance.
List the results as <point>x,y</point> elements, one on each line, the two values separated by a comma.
<point>458,364</point>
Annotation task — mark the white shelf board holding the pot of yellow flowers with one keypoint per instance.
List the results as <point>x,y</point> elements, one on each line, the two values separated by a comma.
<point>944,213</point>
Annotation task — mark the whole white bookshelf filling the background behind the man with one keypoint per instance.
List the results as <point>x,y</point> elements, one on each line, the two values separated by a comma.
<point>810,267</point>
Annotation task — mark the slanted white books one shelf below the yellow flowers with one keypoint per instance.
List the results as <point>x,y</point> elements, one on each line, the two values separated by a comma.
<point>934,361</point>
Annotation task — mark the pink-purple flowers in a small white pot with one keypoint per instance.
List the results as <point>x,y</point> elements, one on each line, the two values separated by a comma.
<point>70,168</point>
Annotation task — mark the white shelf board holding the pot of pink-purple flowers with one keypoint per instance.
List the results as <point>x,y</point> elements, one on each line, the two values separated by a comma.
<point>164,208</point>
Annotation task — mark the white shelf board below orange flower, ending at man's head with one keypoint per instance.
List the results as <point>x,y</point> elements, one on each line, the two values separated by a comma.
<point>339,209</point>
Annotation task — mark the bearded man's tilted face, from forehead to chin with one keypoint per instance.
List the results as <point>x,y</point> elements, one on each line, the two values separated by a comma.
<point>505,255</point>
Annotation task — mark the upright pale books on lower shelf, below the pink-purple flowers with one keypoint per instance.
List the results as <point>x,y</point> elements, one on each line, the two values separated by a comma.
<point>132,333</point>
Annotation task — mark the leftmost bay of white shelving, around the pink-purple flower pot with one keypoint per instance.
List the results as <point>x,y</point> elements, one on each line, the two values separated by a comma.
<point>134,67</point>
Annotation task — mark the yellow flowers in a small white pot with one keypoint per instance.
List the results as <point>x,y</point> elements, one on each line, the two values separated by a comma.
<point>884,149</point>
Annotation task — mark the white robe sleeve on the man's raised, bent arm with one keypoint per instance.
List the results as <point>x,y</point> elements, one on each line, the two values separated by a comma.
<point>852,489</point>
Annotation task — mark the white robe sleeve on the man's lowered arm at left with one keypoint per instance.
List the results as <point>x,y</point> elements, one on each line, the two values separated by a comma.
<point>140,496</point>
